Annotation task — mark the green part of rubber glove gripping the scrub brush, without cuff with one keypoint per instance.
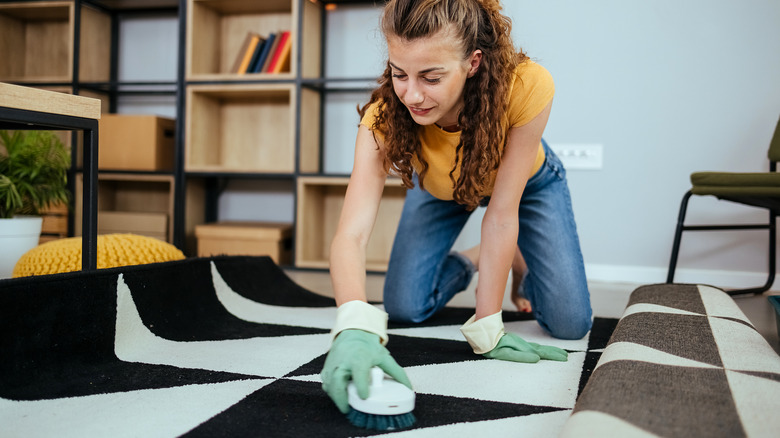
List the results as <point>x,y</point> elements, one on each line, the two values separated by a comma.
<point>351,357</point>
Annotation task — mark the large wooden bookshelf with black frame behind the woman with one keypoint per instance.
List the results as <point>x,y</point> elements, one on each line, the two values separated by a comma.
<point>264,127</point>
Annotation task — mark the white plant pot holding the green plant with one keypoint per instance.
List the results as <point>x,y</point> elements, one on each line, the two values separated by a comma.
<point>17,236</point>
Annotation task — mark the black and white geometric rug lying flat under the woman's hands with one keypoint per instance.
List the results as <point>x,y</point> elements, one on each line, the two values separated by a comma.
<point>231,347</point>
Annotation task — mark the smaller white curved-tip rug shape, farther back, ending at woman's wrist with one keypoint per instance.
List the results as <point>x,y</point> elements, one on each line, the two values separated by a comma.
<point>248,310</point>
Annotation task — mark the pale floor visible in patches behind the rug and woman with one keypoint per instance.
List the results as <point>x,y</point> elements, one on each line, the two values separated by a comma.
<point>608,299</point>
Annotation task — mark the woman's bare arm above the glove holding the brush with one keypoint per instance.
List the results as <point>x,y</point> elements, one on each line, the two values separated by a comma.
<point>358,215</point>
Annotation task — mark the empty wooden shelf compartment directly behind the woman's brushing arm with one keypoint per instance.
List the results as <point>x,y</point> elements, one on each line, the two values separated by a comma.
<point>320,200</point>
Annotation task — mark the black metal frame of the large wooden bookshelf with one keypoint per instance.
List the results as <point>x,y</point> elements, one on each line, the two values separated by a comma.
<point>214,182</point>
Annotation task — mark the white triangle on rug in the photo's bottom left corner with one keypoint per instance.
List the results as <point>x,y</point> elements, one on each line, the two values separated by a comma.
<point>148,413</point>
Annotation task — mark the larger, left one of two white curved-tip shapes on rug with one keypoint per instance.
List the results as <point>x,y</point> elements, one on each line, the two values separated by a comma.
<point>267,357</point>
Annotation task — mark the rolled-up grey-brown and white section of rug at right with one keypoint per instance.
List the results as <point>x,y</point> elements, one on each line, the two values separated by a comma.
<point>683,361</point>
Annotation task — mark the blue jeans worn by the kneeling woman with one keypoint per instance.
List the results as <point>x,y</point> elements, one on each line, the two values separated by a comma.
<point>424,274</point>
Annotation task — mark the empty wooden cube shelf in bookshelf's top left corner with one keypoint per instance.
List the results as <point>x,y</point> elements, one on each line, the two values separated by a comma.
<point>36,39</point>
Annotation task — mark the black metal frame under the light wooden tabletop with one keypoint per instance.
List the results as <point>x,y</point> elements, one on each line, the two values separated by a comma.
<point>14,118</point>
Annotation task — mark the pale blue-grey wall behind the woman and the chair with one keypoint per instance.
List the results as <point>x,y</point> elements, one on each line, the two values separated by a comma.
<point>667,87</point>
